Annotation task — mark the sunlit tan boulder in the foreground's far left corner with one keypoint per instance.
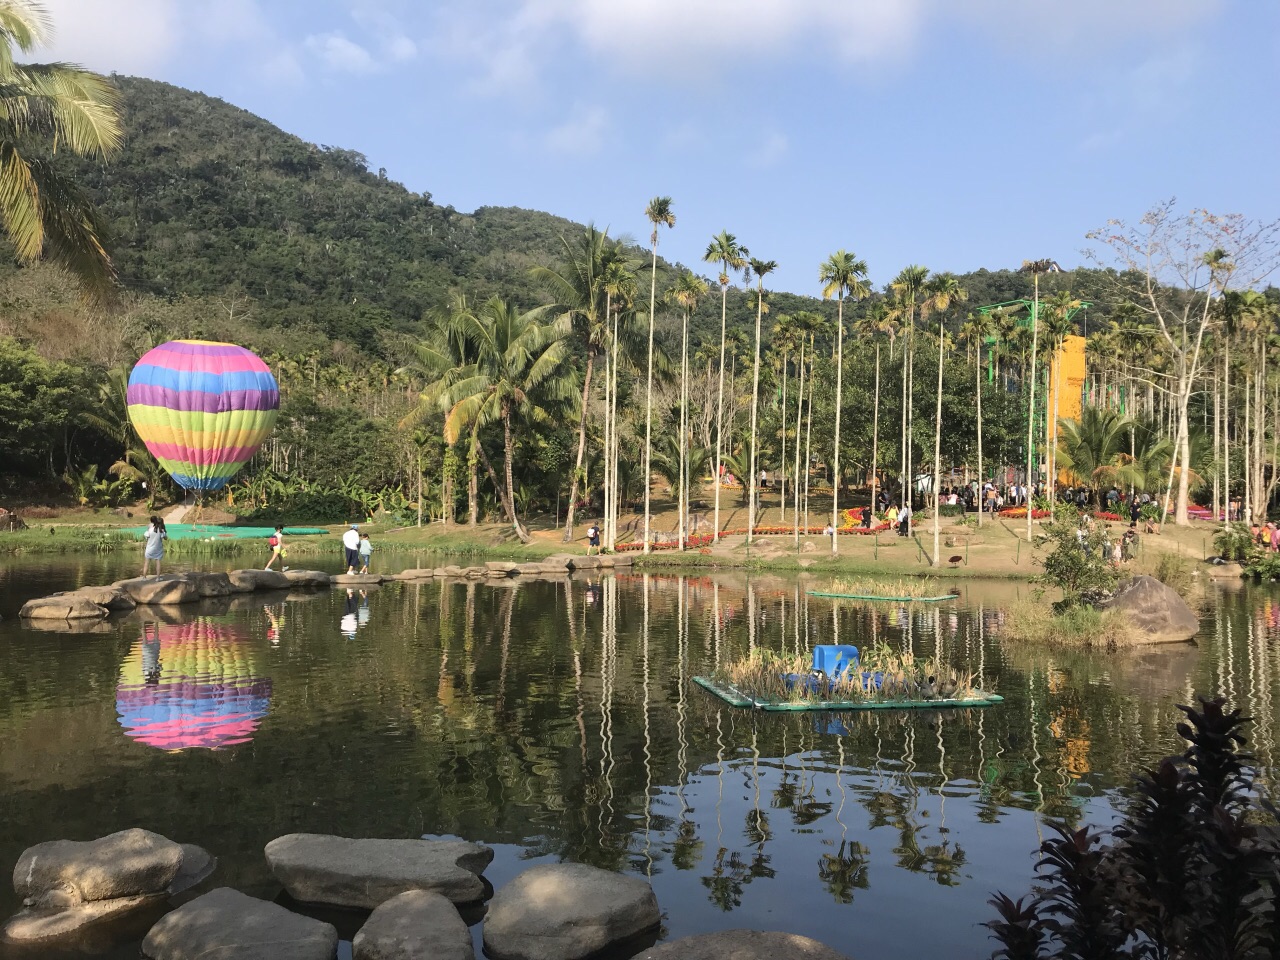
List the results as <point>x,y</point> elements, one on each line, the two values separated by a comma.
<point>126,865</point>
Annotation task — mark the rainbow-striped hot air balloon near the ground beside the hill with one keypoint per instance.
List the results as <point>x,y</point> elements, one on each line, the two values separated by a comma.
<point>203,409</point>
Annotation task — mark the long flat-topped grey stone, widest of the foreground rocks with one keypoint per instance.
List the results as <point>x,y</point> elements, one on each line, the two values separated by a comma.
<point>367,874</point>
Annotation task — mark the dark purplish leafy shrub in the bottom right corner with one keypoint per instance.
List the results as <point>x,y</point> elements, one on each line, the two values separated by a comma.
<point>1192,871</point>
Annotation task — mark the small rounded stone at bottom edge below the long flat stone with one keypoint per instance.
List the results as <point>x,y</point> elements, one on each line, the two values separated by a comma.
<point>413,926</point>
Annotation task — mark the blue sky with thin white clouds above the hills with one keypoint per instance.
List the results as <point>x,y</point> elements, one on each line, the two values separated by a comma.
<point>953,134</point>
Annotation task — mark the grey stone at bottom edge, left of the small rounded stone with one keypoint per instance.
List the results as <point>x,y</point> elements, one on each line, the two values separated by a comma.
<point>226,925</point>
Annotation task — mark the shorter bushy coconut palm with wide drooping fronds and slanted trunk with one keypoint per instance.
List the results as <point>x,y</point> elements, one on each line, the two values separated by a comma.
<point>519,369</point>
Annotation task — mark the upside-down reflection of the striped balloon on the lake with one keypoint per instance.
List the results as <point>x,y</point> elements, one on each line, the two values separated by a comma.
<point>191,685</point>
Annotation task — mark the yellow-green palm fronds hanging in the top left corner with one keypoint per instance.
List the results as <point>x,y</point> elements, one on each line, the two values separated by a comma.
<point>51,108</point>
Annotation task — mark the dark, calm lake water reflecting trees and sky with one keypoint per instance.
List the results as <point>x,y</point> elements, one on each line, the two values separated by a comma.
<point>557,721</point>
